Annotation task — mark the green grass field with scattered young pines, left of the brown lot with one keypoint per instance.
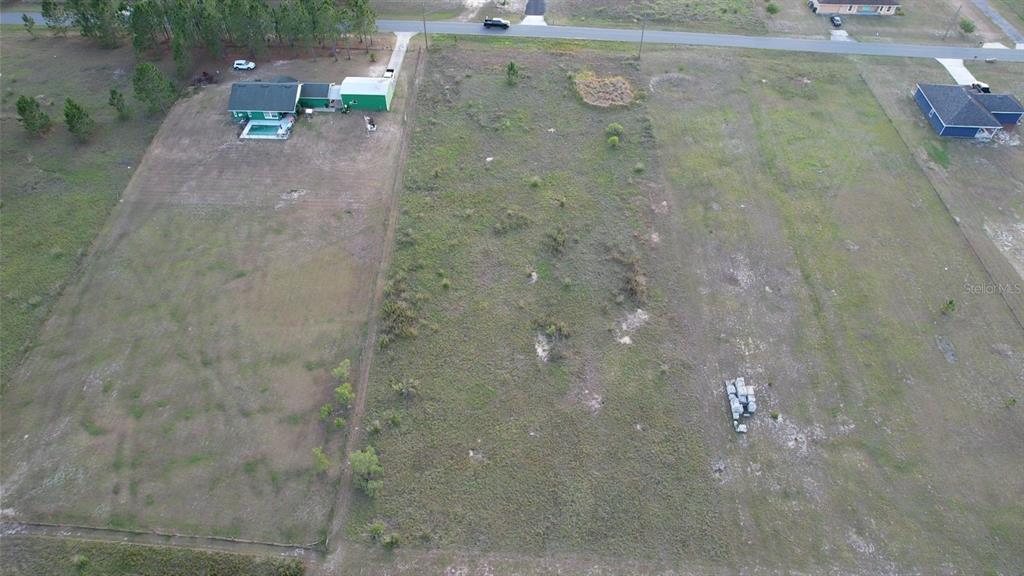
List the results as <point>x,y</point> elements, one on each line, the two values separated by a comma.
<point>58,193</point>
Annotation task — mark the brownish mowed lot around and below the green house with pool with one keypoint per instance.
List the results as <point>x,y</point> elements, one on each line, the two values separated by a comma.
<point>178,384</point>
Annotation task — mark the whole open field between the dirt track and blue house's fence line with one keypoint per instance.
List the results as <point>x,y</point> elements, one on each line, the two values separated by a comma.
<point>786,234</point>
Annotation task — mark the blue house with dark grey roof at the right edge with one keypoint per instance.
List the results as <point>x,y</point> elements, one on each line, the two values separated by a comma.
<point>965,112</point>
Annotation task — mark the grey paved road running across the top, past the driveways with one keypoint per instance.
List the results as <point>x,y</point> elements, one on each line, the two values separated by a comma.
<point>684,38</point>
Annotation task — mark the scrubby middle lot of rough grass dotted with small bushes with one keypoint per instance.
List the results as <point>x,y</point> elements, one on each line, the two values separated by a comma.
<point>593,450</point>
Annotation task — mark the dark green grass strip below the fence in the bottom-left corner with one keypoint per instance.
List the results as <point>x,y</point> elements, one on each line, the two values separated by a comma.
<point>52,557</point>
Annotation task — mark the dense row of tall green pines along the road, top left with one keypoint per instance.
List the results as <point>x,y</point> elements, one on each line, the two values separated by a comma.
<point>212,25</point>
